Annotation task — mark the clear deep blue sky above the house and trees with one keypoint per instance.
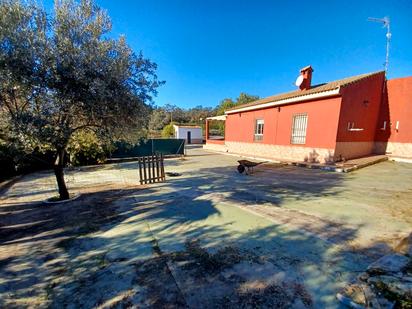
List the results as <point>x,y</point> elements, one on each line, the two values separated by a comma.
<point>210,50</point>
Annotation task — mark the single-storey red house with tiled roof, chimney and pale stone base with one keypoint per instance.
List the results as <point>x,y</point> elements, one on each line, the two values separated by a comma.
<point>339,120</point>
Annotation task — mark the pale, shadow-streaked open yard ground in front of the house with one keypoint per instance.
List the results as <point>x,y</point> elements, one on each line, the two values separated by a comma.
<point>285,237</point>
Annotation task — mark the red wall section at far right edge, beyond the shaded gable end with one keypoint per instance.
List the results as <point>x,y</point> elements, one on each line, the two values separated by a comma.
<point>396,106</point>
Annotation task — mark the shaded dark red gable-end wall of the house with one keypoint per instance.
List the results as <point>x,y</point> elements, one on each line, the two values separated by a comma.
<point>364,115</point>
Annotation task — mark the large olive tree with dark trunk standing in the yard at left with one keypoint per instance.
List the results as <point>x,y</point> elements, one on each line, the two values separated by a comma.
<point>62,73</point>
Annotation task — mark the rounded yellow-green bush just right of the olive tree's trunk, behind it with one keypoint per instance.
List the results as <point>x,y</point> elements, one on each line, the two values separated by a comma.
<point>86,149</point>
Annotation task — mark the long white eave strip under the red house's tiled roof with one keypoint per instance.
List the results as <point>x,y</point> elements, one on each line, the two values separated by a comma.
<point>303,98</point>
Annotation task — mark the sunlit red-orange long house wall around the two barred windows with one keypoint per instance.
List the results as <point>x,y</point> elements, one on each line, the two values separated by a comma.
<point>323,116</point>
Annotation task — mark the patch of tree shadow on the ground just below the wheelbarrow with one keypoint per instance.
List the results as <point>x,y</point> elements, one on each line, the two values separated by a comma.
<point>266,184</point>
